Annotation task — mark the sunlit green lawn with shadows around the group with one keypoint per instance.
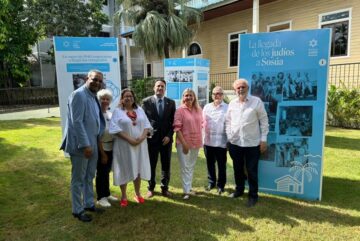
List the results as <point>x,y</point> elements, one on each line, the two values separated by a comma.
<point>35,198</point>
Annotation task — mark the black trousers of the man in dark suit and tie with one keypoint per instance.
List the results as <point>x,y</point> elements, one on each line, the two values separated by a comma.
<point>165,157</point>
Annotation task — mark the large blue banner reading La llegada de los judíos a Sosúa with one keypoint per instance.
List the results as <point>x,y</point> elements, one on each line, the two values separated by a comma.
<point>289,72</point>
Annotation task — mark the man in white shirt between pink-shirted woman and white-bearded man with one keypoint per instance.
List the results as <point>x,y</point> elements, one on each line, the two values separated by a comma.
<point>215,140</point>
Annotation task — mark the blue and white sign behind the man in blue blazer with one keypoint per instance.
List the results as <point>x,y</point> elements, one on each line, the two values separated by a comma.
<point>75,56</point>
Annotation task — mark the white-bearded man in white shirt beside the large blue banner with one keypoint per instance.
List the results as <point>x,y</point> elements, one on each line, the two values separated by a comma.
<point>246,128</point>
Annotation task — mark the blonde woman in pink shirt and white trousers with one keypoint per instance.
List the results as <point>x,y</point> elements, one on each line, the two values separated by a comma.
<point>188,127</point>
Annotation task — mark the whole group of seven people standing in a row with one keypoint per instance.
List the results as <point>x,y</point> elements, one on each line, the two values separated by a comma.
<point>130,140</point>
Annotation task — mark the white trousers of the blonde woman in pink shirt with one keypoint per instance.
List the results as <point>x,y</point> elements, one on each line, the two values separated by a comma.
<point>187,164</point>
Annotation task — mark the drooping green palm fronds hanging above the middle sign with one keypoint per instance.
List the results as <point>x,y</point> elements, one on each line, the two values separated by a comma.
<point>160,25</point>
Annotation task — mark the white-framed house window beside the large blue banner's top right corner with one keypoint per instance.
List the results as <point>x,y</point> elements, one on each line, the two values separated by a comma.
<point>339,22</point>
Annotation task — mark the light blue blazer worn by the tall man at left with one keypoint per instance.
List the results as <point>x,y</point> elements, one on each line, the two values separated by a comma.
<point>85,123</point>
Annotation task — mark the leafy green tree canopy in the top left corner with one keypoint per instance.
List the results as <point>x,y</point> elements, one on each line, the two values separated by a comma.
<point>24,22</point>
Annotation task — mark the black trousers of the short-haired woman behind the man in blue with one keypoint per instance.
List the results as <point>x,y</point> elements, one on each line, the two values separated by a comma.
<point>102,176</point>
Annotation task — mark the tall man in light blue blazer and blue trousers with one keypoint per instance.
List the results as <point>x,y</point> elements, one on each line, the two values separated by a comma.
<point>85,124</point>
